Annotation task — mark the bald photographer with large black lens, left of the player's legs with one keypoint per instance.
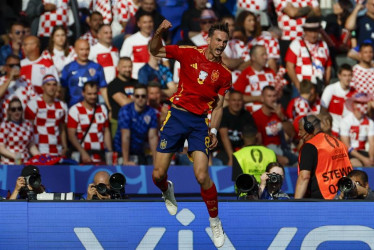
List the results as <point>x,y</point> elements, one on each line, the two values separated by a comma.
<point>107,187</point>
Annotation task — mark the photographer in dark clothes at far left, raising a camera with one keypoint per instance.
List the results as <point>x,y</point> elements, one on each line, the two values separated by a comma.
<point>28,185</point>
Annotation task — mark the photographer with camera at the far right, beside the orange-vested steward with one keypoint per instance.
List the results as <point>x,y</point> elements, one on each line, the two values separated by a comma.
<point>357,189</point>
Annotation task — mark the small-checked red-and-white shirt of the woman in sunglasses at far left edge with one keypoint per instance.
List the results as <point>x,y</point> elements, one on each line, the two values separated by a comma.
<point>17,139</point>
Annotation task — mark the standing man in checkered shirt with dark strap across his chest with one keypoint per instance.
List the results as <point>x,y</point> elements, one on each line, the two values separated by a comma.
<point>88,127</point>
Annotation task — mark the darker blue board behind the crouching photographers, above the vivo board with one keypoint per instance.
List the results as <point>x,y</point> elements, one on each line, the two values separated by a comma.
<point>63,179</point>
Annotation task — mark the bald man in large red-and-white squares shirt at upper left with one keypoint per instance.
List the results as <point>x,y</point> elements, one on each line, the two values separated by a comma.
<point>34,67</point>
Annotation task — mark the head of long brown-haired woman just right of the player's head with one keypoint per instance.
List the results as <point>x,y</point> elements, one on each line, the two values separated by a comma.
<point>249,25</point>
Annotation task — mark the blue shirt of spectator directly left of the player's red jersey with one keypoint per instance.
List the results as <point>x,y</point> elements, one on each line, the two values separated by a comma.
<point>147,74</point>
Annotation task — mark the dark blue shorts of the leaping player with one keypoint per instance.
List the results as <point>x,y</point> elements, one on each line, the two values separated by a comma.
<point>180,125</point>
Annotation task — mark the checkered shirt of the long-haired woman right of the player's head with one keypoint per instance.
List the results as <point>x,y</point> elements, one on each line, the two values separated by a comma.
<point>271,44</point>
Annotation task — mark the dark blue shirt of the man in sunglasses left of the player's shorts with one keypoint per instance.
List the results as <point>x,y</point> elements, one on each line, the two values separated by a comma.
<point>138,124</point>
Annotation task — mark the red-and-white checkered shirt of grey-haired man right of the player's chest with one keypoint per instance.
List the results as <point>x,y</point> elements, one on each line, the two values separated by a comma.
<point>251,82</point>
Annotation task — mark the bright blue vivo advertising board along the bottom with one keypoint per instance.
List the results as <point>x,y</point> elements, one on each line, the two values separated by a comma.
<point>147,225</point>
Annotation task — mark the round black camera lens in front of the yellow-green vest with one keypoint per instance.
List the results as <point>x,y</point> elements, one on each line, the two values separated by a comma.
<point>247,187</point>
